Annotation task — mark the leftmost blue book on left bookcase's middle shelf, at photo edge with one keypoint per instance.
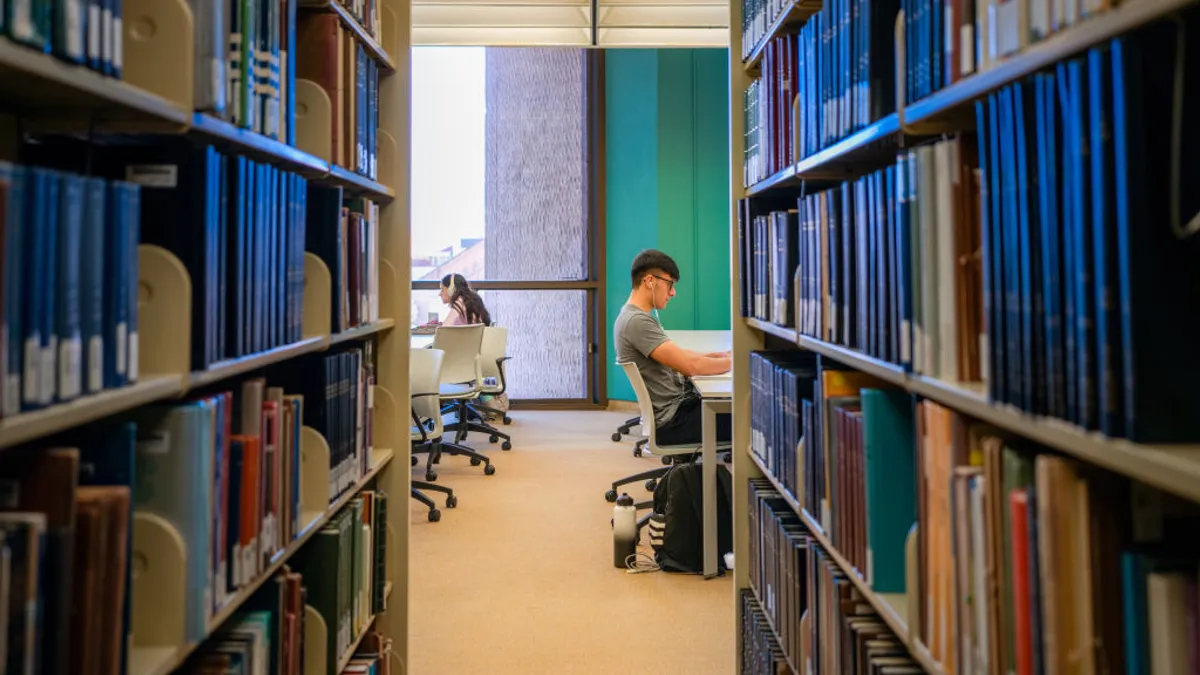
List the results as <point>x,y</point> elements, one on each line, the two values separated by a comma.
<point>13,181</point>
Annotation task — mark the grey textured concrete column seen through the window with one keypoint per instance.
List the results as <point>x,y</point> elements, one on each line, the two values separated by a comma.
<point>536,213</point>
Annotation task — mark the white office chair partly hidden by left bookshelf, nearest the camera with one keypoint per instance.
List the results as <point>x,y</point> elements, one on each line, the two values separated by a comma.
<point>427,373</point>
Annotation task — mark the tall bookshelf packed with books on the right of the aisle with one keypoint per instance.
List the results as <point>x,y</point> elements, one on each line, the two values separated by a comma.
<point>967,192</point>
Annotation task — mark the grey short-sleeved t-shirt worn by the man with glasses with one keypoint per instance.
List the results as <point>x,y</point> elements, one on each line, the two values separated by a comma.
<point>637,334</point>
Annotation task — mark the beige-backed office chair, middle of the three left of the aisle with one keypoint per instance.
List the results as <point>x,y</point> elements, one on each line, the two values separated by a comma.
<point>460,384</point>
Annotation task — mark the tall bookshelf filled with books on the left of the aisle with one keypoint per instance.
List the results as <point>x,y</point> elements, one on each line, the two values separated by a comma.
<point>245,341</point>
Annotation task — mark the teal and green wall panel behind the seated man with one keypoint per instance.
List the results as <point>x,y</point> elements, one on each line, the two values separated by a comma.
<point>668,182</point>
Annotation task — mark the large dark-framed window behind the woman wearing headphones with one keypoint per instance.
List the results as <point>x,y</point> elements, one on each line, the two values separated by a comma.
<point>501,194</point>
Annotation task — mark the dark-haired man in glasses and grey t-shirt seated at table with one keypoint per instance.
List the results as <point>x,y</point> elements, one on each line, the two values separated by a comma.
<point>665,367</point>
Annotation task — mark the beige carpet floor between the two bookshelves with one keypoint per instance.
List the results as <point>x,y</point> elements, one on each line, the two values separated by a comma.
<point>519,580</point>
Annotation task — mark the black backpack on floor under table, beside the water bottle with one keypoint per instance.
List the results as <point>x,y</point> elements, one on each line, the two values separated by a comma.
<point>677,524</point>
